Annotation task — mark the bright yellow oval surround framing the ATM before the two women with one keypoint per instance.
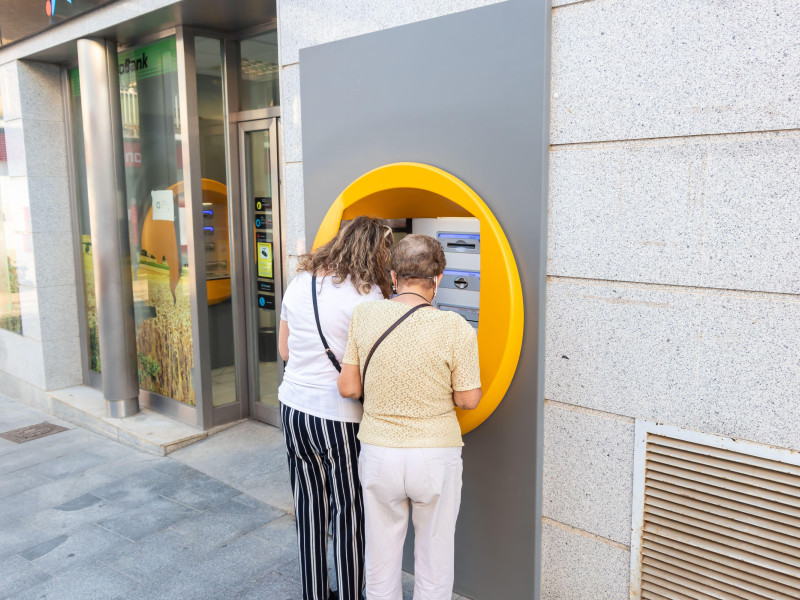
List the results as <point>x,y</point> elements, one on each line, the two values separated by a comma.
<point>414,190</point>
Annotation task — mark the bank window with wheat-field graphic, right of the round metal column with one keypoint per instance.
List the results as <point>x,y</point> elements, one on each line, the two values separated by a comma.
<point>148,77</point>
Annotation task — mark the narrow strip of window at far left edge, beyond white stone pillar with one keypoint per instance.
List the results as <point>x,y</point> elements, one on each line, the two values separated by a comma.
<point>11,227</point>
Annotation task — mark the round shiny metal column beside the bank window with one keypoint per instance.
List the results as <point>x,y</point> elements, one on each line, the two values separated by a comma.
<point>105,170</point>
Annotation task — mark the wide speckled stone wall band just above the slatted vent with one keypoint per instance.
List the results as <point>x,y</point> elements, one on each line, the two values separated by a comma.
<point>723,363</point>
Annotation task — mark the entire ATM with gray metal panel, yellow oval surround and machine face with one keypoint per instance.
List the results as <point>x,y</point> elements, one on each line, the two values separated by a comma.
<point>429,125</point>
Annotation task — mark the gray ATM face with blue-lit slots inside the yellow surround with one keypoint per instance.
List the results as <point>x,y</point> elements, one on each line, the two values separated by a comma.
<point>461,285</point>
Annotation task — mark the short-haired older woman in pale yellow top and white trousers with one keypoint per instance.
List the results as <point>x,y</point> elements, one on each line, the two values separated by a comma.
<point>417,375</point>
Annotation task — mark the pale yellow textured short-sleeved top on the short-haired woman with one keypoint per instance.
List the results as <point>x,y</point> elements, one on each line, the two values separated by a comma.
<point>408,394</point>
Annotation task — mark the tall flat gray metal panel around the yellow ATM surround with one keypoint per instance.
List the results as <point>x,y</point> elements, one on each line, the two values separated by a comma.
<point>467,93</point>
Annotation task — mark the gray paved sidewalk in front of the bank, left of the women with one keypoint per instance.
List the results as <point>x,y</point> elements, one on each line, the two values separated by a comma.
<point>84,517</point>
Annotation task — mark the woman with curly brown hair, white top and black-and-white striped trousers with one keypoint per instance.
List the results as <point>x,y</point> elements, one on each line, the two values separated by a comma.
<point>320,426</point>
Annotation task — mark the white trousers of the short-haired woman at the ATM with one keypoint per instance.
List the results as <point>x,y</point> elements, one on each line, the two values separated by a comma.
<point>429,479</point>
